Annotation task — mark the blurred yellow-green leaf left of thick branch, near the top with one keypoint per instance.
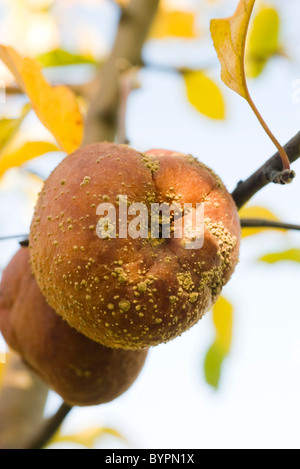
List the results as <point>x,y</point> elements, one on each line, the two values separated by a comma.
<point>60,57</point>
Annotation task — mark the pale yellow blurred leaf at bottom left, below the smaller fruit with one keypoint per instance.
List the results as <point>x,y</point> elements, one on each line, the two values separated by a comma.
<point>85,438</point>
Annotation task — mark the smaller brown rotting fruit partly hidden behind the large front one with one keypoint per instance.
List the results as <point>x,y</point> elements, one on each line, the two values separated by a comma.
<point>82,372</point>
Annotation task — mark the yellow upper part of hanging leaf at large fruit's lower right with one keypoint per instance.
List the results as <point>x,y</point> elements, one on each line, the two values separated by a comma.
<point>223,321</point>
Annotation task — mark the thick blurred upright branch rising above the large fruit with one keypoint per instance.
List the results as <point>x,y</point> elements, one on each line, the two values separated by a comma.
<point>135,22</point>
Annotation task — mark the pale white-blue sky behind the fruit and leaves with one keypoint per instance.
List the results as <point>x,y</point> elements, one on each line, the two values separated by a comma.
<point>170,405</point>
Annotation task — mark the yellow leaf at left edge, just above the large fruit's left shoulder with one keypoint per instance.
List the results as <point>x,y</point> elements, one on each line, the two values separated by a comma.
<point>23,154</point>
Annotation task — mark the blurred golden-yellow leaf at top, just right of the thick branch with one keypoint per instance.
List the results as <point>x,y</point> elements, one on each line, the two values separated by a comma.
<point>173,24</point>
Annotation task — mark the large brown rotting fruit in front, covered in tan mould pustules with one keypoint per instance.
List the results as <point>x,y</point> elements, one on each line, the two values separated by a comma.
<point>130,293</point>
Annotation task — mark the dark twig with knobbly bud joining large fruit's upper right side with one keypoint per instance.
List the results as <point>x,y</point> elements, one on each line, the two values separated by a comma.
<point>271,171</point>
